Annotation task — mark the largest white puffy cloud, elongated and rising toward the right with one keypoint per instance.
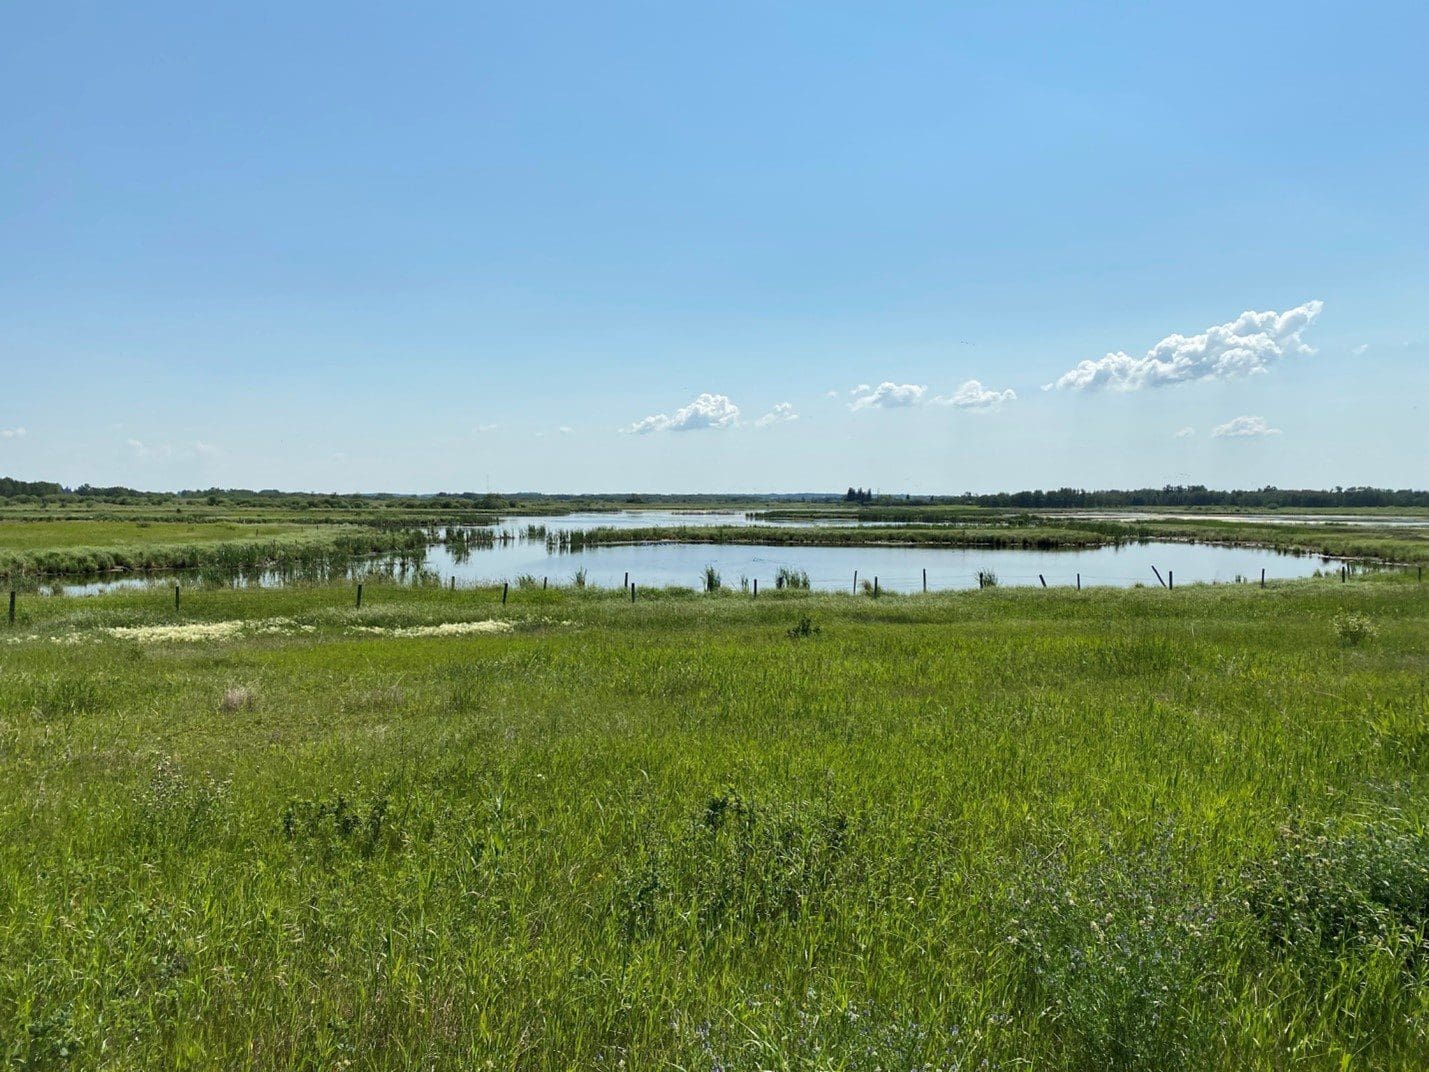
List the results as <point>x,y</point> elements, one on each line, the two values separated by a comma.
<point>1248,345</point>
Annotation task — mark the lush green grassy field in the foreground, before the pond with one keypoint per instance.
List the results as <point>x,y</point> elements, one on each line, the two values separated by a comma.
<point>1041,830</point>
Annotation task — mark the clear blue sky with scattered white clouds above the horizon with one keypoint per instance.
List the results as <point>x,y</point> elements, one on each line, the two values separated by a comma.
<point>662,247</point>
